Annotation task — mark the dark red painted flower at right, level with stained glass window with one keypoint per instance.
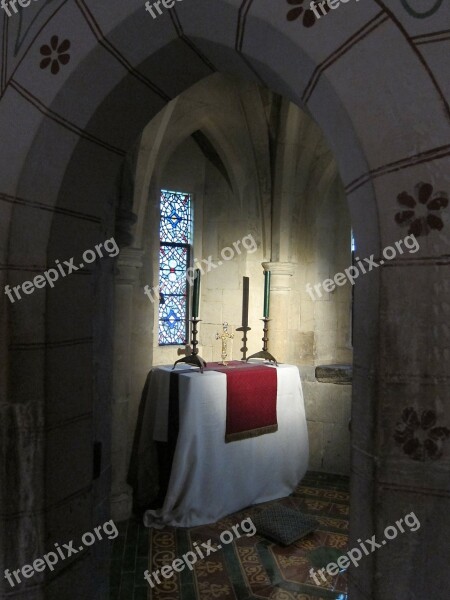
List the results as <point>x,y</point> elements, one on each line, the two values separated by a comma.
<point>421,214</point>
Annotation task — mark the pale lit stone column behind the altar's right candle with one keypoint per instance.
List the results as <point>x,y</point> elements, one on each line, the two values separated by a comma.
<point>280,301</point>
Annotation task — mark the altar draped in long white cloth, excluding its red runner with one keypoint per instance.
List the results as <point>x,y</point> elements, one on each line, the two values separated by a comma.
<point>210,478</point>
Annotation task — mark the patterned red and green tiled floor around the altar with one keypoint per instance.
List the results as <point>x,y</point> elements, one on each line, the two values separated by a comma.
<point>321,495</point>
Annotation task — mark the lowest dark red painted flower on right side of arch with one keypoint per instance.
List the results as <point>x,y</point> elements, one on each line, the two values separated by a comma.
<point>419,437</point>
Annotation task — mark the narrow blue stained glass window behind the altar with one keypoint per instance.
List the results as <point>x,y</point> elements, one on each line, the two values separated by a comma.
<point>175,237</point>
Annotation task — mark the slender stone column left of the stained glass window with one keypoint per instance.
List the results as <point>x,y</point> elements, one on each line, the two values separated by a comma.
<point>129,264</point>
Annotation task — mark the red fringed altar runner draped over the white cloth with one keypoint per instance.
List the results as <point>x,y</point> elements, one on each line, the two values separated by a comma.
<point>251,399</point>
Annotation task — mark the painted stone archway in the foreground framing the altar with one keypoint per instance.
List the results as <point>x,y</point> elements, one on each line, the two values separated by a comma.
<point>374,79</point>
